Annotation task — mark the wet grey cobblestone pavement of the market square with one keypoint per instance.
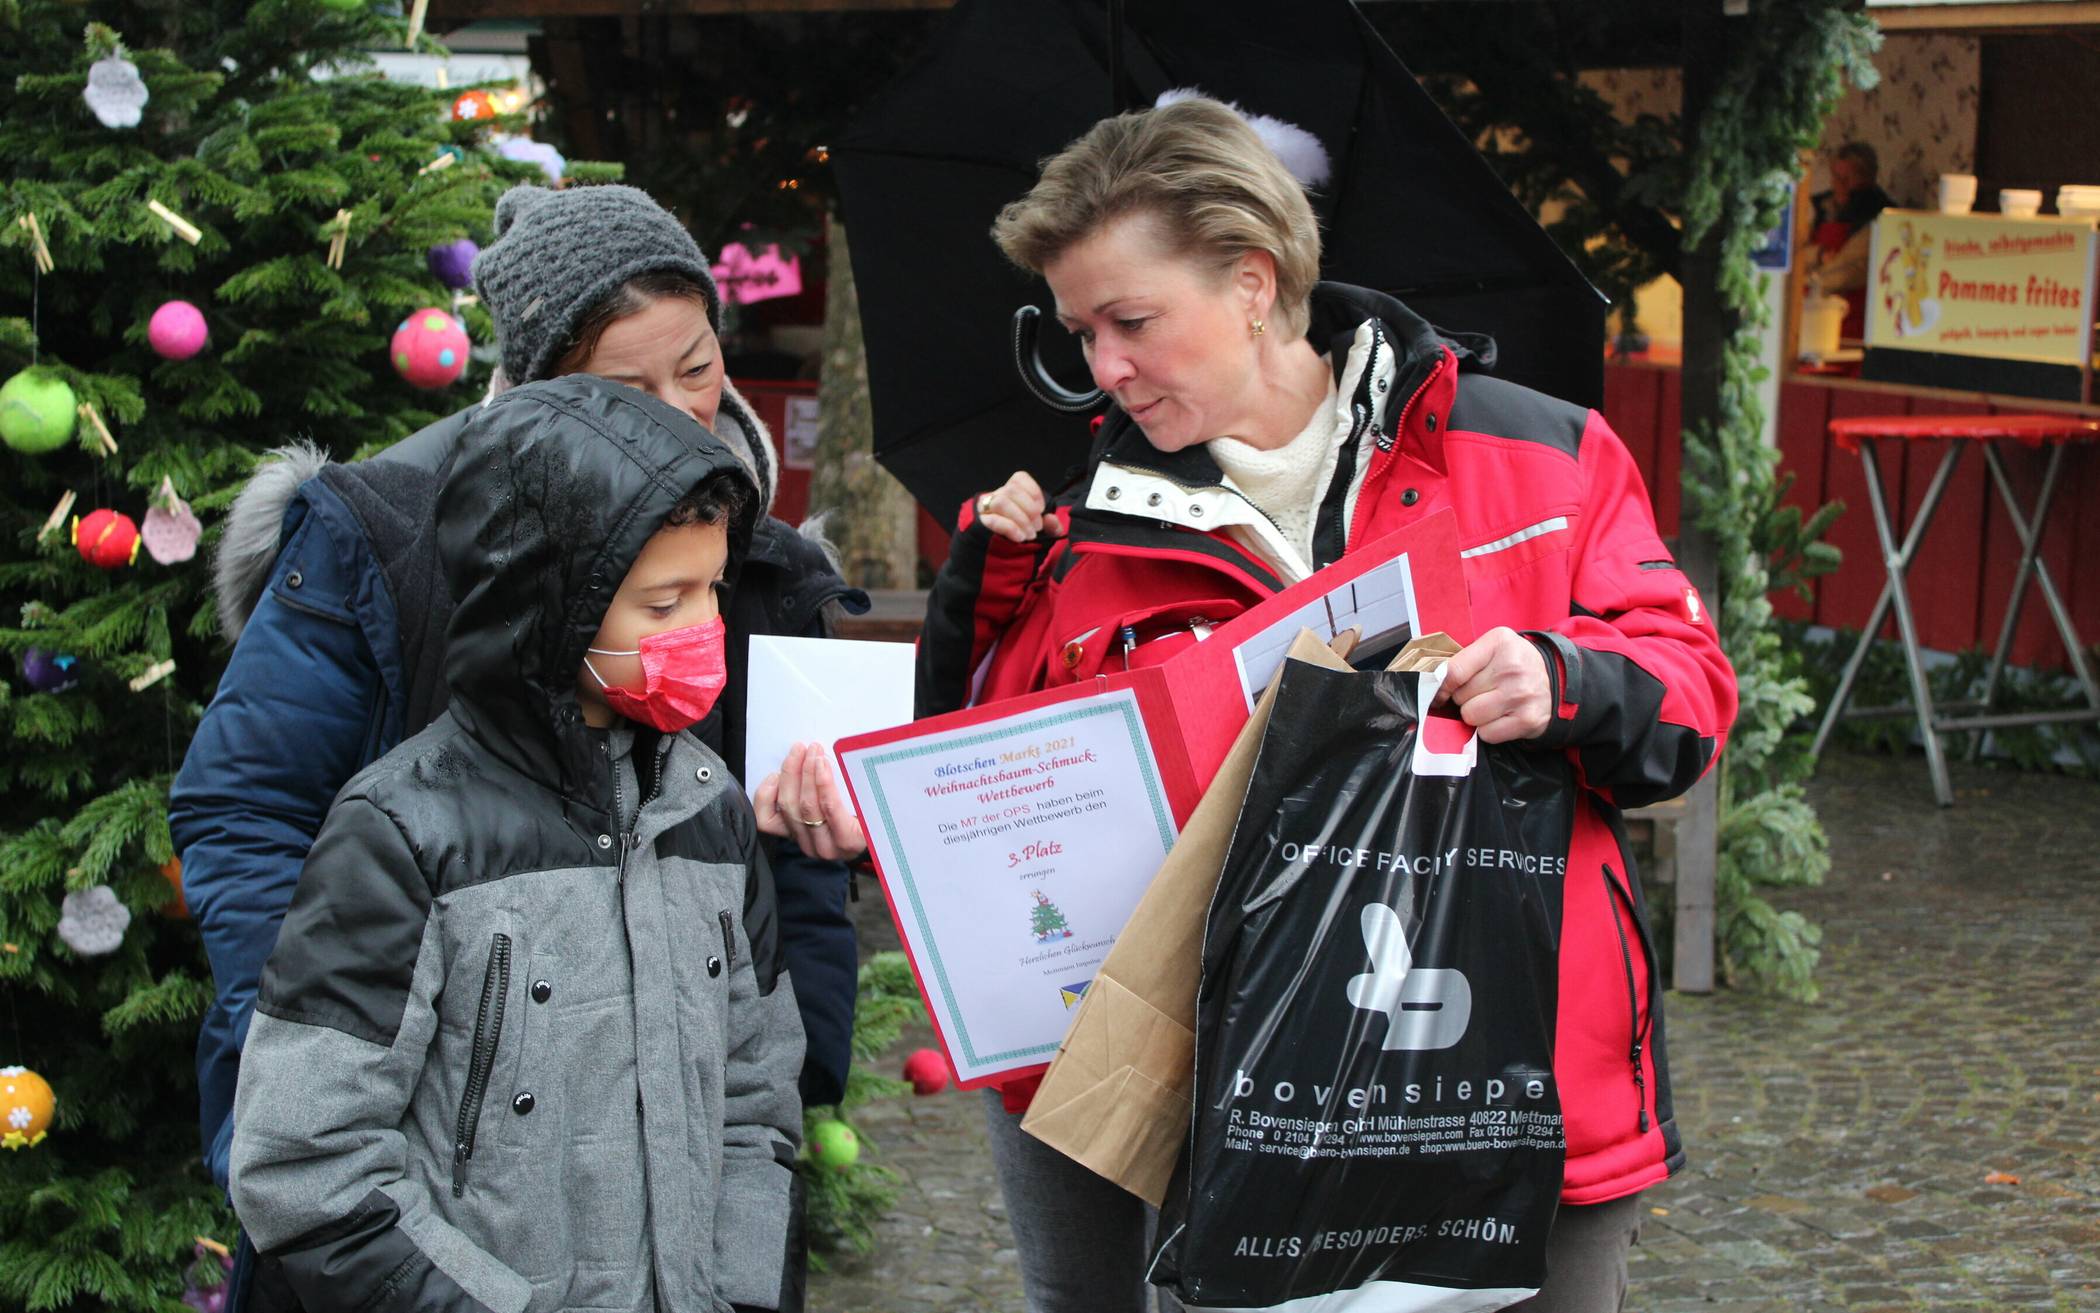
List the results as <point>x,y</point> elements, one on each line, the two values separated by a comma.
<point>1927,1138</point>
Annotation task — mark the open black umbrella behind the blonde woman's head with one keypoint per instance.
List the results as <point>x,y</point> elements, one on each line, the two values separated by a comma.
<point>1412,209</point>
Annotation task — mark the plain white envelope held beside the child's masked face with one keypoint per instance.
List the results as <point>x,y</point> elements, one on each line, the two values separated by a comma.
<point>820,692</point>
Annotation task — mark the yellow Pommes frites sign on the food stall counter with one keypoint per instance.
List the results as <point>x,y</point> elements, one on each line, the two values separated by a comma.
<point>1983,285</point>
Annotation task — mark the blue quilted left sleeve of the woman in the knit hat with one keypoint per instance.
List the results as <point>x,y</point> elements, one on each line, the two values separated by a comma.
<point>295,717</point>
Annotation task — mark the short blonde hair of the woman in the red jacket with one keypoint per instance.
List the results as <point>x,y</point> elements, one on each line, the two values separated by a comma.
<point>1200,171</point>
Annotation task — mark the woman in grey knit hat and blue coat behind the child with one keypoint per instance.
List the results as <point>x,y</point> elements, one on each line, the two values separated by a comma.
<point>329,585</point>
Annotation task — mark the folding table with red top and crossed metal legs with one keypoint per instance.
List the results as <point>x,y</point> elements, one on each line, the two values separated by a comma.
<point>2057,432</point>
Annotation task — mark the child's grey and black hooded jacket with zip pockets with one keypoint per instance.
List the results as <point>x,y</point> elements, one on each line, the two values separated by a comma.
<point>511,1049</point>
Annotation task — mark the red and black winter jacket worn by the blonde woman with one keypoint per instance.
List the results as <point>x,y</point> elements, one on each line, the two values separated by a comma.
<point>1559,543</point>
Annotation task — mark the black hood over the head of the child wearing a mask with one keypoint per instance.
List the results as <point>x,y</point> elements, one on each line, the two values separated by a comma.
<point>553,491</point>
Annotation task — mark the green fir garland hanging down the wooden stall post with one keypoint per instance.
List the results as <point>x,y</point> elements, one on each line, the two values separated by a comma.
<point>1786,75</point>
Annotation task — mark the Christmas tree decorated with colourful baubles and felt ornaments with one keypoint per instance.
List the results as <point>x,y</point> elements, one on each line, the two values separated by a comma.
<point>240,161</point>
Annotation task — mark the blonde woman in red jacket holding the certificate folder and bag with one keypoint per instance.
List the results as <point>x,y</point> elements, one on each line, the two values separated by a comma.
<point>1265,425</point>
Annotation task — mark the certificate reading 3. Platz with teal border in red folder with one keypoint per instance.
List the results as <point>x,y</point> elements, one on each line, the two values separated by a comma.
<point>1013,852</point>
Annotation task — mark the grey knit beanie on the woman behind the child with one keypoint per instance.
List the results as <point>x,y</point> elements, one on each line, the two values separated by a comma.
<point>562,253</point>
